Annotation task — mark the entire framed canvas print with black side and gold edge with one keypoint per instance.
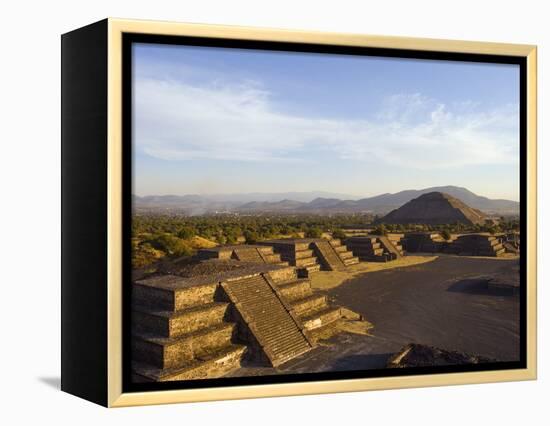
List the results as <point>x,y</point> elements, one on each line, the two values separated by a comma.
<point>254,212</point>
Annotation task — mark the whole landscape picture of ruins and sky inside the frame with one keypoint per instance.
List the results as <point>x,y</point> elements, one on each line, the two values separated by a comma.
<point>298,213</point>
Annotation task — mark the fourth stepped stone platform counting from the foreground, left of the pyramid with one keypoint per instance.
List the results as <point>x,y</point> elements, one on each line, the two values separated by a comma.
<point>376,248</point>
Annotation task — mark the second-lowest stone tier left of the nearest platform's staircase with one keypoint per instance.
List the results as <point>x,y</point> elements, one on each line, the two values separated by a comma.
<point>173,352</point>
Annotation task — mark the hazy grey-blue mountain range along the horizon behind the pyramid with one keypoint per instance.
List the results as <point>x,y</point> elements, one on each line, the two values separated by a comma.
<point>312,202</point>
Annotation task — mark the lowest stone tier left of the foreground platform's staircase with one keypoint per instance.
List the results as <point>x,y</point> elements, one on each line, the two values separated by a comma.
<point>209,365</point>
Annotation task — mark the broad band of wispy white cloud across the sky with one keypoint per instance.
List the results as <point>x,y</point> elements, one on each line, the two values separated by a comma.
<point>179,121</point>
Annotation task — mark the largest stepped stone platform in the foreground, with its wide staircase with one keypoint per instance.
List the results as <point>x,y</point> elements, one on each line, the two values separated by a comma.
<point>221,312</point>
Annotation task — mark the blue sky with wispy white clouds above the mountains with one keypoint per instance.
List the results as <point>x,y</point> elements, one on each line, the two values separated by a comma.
<point>217,120</point>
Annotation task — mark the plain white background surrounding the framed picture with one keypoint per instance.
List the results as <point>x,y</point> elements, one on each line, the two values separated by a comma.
<point>30,197</point>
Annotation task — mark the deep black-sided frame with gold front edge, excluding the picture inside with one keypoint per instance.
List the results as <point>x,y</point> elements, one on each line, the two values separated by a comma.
<point>97,181</point>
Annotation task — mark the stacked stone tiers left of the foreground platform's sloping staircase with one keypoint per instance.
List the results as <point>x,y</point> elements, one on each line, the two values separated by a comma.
<point>180,331</point>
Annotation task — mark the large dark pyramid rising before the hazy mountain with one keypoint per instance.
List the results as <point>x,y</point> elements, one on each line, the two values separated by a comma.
<point>434,208</point>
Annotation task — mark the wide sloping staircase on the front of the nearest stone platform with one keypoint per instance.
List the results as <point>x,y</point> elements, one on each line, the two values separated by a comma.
<point>278,333</point>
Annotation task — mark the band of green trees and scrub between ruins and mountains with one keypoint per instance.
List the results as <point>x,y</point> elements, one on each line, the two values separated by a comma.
<point>156,237</point>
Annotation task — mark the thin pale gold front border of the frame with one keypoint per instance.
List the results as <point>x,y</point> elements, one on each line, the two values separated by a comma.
<point>116,27</point>
